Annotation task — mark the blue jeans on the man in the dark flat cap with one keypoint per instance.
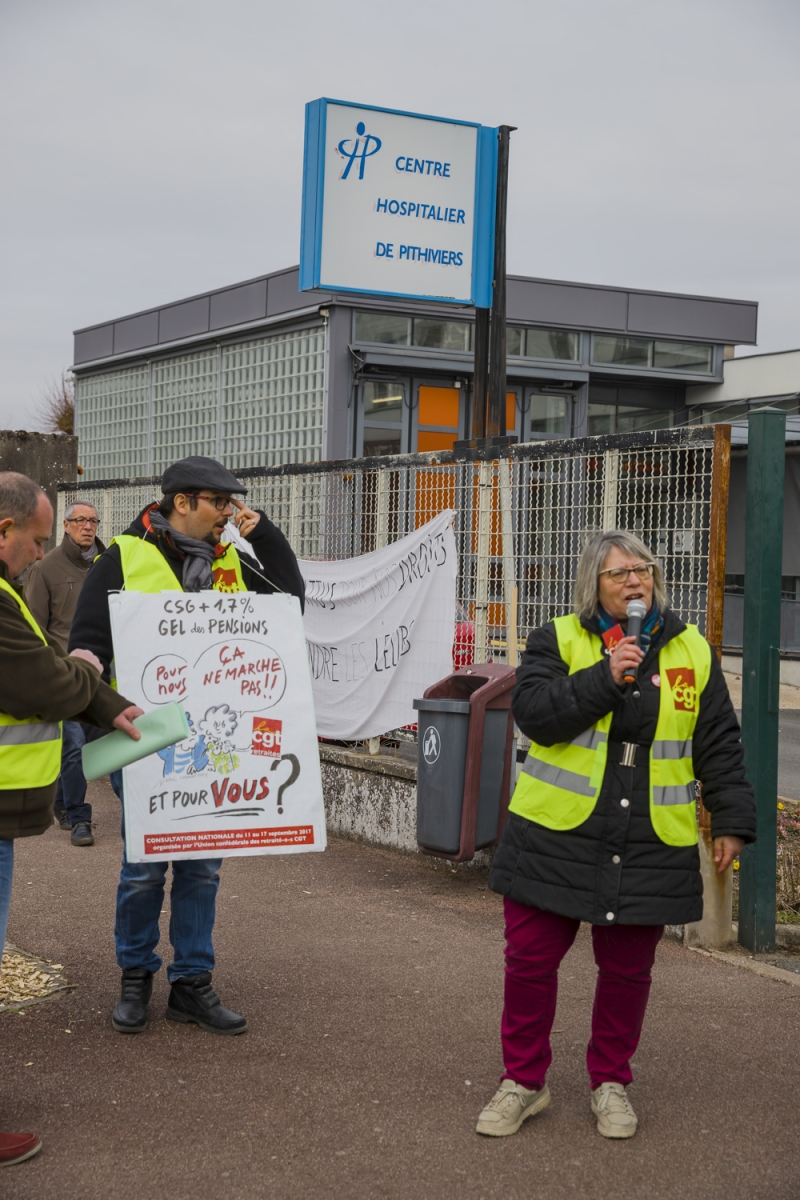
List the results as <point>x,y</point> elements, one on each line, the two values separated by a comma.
<point>193,904</point>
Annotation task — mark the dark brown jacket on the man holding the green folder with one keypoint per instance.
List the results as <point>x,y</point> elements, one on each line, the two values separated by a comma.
<point>43,682</point>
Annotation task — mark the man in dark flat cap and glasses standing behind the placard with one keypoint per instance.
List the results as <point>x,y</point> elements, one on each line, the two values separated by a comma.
<point>176,545</point>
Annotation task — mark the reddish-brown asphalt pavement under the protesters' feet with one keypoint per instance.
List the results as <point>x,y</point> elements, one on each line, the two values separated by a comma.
<point>372,985</point>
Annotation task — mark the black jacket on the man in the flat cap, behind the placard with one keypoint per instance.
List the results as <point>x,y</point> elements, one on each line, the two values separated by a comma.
<point>92,626</point>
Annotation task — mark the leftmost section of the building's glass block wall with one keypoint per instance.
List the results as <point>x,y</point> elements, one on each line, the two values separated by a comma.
<point>112,419</point>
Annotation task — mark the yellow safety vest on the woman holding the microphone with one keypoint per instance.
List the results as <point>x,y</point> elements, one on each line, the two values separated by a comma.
<point>561,784</point>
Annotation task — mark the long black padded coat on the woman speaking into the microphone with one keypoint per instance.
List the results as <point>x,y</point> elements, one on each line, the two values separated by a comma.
<point>574,873</point>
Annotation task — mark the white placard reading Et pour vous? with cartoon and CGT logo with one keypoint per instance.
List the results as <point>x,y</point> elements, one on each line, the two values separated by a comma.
<point>246,781</point>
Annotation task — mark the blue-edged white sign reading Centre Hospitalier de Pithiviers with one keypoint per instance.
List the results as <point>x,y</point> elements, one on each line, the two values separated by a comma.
<point>398,205</point>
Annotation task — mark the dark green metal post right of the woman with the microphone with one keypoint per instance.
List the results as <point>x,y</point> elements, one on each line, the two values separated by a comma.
<point>761,670</point>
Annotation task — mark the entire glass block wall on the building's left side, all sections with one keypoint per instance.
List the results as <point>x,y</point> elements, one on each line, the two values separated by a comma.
<point>249,404</point>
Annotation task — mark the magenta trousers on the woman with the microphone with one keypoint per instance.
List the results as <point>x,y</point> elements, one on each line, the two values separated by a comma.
<point>537,943</point>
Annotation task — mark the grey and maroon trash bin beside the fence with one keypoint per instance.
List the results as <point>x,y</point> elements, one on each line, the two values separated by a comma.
<point>465,748</point>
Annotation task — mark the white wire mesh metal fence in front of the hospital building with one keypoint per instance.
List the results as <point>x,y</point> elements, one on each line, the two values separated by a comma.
<point>521,519</point>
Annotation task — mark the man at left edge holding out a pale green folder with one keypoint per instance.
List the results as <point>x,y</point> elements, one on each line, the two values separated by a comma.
<point>41,686</point>
